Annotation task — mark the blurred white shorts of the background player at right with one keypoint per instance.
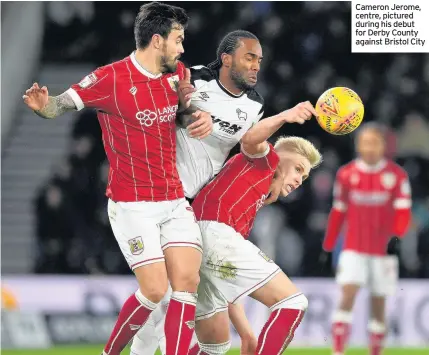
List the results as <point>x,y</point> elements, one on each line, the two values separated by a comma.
<point>378,273</point>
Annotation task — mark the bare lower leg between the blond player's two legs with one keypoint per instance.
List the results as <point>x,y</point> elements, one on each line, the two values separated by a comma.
<point>242,326</point>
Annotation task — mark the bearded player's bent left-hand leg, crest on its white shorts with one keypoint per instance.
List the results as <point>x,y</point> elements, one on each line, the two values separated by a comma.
<point>135,226</point>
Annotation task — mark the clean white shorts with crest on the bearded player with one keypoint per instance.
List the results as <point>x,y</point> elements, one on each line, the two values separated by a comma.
<point>144,230</point>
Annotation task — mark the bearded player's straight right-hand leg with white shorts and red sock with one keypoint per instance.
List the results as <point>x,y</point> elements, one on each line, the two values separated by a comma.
<point>181,242</point>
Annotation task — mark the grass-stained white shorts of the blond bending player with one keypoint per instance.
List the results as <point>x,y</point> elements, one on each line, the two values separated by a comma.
<point>232,268</point>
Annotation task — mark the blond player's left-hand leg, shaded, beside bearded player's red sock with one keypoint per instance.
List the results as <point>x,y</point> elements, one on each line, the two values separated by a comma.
<point>211,321</point>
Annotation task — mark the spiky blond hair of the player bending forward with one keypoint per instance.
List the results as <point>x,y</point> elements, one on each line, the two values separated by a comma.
<point>300,146</point>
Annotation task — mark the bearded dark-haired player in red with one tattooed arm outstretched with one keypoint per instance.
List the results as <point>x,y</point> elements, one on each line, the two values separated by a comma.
<point>136,102</point>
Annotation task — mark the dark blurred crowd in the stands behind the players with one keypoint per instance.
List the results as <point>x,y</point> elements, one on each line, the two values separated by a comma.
<point>306,47</point>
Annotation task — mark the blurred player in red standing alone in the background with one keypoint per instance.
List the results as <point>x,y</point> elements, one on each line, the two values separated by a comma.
<point>372,196</point>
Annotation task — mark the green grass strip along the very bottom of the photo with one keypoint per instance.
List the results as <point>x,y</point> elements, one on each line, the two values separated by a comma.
<point>96,350</point>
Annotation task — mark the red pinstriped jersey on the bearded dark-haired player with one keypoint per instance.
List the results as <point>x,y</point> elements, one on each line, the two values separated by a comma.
<point>137,112</point>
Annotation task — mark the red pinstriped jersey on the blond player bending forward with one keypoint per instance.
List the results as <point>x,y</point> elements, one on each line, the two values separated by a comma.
<point>236,194</point>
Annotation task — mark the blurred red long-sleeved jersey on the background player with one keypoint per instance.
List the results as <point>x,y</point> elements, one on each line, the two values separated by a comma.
<point>371,199</point>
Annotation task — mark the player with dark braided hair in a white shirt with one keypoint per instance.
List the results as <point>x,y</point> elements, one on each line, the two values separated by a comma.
<point>226,89</point>
